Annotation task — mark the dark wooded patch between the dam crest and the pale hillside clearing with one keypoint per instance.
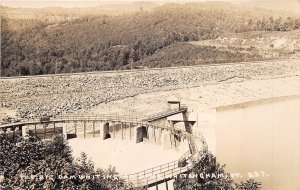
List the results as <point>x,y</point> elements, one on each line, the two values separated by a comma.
<point>184,54</point>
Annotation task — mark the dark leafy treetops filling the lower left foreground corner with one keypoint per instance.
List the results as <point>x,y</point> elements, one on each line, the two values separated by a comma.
<point>35,164</point>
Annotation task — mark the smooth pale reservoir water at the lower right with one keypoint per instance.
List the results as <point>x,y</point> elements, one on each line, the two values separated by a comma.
<point>261,140</point>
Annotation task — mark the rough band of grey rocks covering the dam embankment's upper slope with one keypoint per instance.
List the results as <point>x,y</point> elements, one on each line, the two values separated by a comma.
<point>34,97</point>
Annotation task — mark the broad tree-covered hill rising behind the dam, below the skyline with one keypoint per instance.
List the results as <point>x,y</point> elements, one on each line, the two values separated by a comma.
<point>106,42</point>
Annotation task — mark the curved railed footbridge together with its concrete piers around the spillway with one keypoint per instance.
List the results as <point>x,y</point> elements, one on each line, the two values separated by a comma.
<point>120,127</point>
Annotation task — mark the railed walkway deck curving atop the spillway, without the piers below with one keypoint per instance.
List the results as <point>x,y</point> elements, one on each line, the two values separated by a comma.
<point>146,178</point>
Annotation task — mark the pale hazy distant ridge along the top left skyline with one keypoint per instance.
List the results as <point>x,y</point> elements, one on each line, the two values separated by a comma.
<point>51,13</point>
